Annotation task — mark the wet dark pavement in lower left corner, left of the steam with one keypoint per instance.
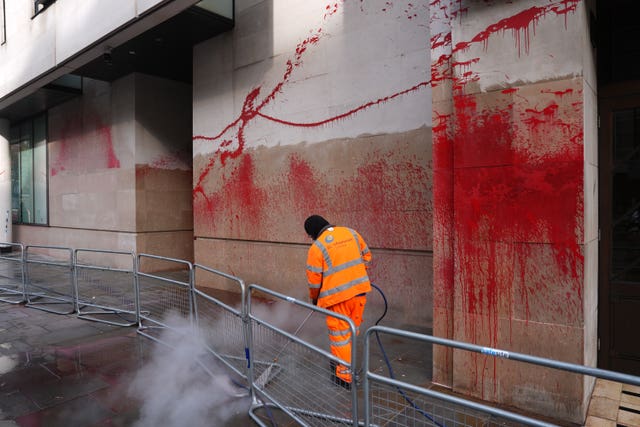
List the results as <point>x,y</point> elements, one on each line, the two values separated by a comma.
<point>59,370</point>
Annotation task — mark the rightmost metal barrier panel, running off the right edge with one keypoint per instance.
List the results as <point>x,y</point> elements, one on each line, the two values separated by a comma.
<point>390,402</point>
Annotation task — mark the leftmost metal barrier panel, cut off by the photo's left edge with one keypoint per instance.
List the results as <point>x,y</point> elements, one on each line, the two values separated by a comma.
<point>12,273</point>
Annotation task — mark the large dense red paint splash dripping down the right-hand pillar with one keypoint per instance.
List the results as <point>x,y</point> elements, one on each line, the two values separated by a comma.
<point>517,216</point>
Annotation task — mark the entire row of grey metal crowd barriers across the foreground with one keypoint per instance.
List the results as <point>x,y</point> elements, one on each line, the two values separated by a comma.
<point>247,329</point>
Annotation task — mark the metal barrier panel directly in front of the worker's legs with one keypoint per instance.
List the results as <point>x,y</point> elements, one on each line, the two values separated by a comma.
<point>292,374</point>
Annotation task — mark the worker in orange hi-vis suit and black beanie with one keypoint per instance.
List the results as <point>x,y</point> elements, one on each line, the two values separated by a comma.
<point>336,270</point>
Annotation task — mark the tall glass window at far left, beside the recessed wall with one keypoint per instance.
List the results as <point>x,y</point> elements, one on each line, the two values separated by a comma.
<point>29,171</point>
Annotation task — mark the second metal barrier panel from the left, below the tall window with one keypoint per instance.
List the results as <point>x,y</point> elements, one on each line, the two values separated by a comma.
<point>49,279</point>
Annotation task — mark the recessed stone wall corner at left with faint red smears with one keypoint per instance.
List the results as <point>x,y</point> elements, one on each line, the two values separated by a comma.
<point>120,169</point>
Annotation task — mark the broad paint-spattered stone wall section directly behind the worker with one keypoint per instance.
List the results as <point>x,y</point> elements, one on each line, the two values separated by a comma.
<point>312,108</point>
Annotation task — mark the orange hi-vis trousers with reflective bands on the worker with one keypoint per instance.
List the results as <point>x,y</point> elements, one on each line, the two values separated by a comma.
<point>340,333</point>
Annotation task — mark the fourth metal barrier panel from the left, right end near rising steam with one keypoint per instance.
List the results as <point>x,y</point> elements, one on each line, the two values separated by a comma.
<point>164,297</point>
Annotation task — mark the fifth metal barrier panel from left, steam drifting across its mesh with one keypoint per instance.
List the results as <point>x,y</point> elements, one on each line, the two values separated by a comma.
<point>220,324</point>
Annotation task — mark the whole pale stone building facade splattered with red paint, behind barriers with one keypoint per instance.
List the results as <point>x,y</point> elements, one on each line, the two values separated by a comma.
<point>461,139</point>
